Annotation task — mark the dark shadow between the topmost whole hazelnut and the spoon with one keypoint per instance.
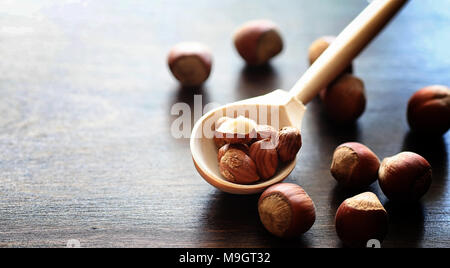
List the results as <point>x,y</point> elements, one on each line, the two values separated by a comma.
<point>257,80</point>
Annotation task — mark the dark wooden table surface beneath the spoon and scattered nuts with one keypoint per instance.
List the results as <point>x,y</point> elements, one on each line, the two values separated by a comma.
<point>86,150</point>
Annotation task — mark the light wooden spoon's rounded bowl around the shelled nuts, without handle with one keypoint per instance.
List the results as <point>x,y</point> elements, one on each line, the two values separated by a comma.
<point>278,109</point>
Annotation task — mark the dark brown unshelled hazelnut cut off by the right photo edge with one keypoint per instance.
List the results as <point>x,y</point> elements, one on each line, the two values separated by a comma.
<point>429,110</point>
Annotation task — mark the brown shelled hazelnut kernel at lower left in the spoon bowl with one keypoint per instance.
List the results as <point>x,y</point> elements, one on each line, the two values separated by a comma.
<point>238,167</point>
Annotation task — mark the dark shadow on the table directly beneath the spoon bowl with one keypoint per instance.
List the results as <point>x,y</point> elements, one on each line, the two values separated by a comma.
<point>233,221</point>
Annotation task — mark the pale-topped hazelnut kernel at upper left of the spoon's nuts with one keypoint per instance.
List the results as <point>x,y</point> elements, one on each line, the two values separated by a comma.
<point>235,130</point>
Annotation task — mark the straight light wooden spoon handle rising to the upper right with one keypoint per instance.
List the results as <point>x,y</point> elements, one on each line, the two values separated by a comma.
<point>348,44</point>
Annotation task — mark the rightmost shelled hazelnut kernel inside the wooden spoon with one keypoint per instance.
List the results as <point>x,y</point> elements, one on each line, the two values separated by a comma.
<point>289,143</point>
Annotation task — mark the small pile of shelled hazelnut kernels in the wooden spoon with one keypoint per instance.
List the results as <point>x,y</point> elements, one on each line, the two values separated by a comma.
<point>249,152</point>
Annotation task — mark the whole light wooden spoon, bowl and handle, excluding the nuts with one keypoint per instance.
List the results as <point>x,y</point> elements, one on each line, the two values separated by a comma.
<point>281,108</point>
